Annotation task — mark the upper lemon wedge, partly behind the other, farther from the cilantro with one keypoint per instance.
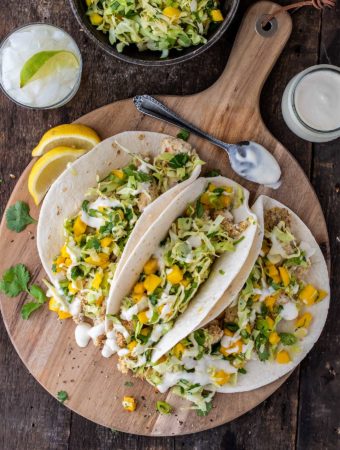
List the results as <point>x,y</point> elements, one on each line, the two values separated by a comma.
<point>68,135</point>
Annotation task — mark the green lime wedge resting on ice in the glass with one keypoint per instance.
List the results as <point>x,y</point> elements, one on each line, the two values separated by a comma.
<point>43,64</point>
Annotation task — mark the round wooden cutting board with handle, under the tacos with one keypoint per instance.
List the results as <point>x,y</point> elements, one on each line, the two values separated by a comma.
<point>229,110</point>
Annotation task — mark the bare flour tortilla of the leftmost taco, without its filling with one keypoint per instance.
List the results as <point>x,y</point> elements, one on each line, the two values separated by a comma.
<point>67,193</point>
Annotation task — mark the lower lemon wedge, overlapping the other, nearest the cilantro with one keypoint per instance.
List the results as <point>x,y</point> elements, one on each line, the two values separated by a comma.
<point>47,169</point>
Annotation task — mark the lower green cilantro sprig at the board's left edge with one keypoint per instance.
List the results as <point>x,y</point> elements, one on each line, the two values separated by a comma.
<point>15,281</point>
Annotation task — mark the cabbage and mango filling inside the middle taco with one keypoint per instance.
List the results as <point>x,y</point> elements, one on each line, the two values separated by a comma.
<point>173,276</point>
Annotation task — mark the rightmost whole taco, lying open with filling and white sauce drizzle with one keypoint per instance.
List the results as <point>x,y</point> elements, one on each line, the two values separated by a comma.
<point>269,326</point>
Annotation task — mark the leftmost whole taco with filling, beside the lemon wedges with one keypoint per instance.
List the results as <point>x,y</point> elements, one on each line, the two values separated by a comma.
<point>97,211</point>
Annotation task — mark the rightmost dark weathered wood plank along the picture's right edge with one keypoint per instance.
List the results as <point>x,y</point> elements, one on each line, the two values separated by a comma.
<point>319,425</point>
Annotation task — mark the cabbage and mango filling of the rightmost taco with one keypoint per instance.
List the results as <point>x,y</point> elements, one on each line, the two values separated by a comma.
<point>267,322</point>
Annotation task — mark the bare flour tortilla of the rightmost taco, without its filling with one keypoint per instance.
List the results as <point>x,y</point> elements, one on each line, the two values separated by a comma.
<point>262,373</point>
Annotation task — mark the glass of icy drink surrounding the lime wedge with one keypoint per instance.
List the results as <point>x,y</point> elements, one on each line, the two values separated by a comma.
<point>47,92</point>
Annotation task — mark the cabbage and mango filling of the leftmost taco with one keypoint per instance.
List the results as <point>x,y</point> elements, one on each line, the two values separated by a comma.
<point>95,237</point>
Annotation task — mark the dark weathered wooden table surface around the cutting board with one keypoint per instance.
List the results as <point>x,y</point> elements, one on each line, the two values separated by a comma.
<point>304,412</point>
